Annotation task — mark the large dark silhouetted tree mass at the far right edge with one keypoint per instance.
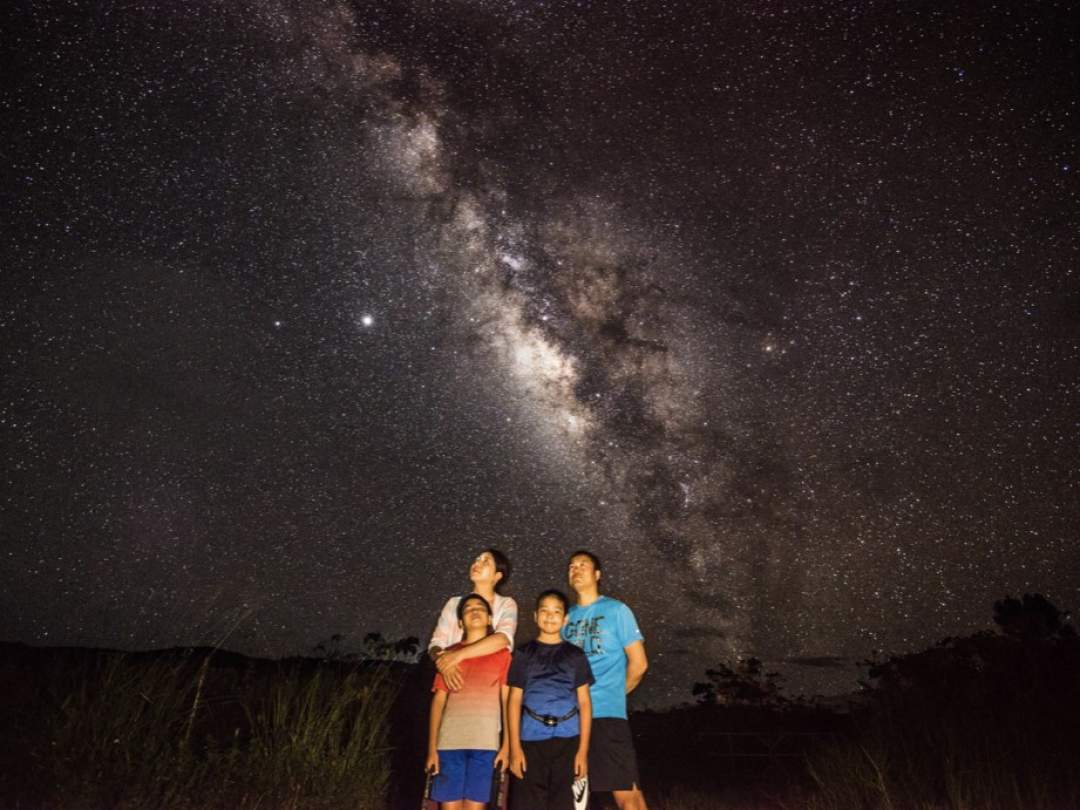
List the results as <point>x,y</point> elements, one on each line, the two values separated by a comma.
<point>952,720</point>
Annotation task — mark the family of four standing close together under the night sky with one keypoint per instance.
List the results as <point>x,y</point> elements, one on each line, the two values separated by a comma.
<point>553,711</point>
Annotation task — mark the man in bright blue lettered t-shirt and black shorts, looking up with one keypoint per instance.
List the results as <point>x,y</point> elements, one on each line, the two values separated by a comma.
<point>606,631</point>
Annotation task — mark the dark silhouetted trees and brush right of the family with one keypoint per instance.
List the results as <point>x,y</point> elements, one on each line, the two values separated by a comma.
<point>981,723</point>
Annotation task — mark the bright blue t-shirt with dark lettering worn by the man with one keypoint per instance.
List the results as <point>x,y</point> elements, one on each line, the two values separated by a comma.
<point>604,630</point>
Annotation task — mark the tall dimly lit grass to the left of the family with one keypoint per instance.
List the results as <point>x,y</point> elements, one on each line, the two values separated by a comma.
<point>123,733</point>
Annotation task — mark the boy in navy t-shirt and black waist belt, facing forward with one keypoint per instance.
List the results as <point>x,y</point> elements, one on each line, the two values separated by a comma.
<point>550,713</point>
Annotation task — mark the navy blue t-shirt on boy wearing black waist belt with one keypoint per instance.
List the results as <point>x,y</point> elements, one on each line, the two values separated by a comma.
<point>549,676</point>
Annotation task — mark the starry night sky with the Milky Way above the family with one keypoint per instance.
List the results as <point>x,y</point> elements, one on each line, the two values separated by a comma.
<point>775,306</point>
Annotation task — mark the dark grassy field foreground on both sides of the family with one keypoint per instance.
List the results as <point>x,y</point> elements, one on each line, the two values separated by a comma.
<point>985,723</point>
